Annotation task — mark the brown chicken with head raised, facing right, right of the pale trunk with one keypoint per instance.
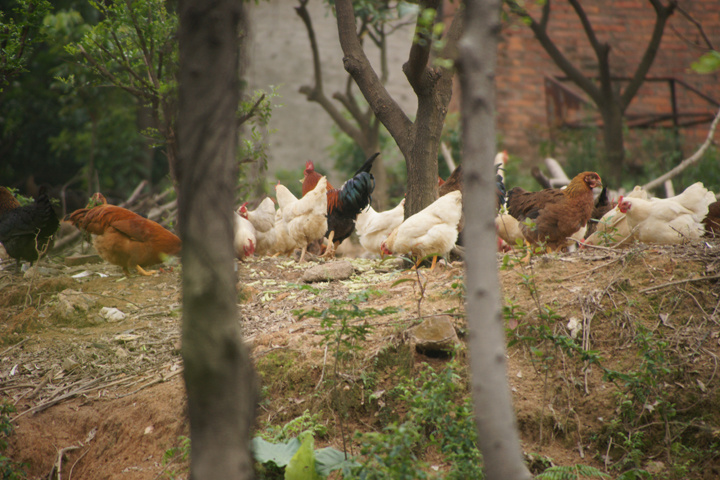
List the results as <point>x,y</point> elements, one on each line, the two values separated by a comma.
<point>556,213</point>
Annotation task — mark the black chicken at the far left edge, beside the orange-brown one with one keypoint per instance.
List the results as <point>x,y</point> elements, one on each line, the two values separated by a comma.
<point>26,231</point>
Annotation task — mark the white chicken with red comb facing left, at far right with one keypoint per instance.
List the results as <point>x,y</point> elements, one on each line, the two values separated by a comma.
<point>668,220</point>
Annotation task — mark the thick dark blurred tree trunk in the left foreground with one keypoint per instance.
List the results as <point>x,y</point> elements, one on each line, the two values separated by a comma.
<point>219,377</point>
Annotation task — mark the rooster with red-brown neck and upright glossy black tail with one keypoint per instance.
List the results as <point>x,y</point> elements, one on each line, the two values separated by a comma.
<point>345,203</point>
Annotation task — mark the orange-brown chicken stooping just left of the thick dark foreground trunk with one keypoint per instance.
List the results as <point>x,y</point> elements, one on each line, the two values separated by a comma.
<point>125,238</point>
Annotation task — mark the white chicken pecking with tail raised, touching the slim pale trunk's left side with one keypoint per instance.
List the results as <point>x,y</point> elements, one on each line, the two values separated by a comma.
<point>432,230</point>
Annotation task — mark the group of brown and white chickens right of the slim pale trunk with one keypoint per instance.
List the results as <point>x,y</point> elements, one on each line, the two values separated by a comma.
<point>560,217</point>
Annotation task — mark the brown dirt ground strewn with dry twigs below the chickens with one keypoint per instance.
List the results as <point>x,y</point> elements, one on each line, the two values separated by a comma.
<point>107,395</point>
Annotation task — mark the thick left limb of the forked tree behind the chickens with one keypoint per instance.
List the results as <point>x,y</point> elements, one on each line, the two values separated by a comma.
<point>357,64</point>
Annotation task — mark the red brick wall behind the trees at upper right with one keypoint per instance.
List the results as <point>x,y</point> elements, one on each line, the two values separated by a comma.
<point>627,25</point>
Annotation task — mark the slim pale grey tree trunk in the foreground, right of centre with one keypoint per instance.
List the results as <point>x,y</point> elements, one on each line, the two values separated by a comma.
<point>497,433</point>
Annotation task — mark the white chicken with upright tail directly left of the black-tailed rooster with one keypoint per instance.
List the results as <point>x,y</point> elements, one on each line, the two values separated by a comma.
<point>306,218</point>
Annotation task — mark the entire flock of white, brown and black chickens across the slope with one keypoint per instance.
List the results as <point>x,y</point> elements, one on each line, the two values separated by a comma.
<point>324,216</point>
